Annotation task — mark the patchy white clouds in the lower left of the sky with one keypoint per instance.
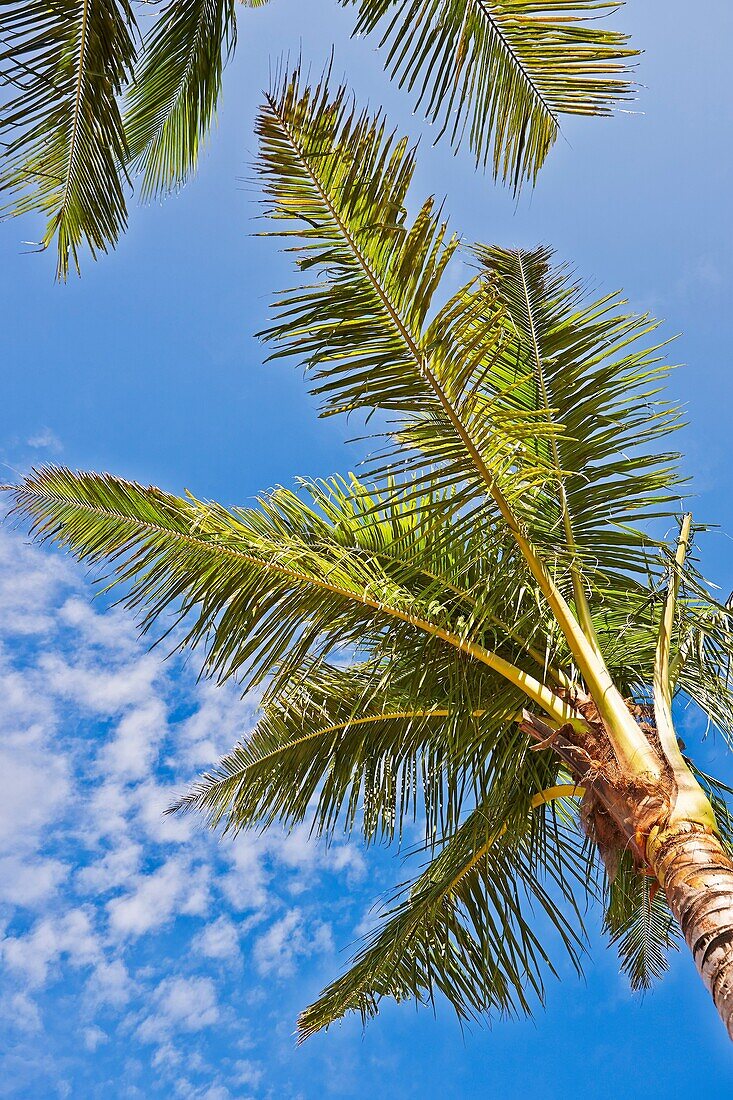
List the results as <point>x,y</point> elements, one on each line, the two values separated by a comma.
<point>99,738</point>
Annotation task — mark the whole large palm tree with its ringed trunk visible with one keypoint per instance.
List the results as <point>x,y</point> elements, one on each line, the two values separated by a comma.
<point>485,635</point>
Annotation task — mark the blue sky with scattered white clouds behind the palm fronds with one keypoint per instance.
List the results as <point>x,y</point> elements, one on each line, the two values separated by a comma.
<point>144,958</point>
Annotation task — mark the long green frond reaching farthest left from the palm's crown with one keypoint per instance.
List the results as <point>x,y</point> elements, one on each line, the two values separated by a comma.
<point>257,593</point>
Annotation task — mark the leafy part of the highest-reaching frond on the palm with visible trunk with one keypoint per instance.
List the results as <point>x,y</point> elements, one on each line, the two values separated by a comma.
<point>337,183</point>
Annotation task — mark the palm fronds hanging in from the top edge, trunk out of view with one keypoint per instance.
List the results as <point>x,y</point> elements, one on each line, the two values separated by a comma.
<point>92,102</point>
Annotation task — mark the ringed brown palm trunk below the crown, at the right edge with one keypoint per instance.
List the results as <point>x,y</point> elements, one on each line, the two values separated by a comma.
<point>697,876</point>
